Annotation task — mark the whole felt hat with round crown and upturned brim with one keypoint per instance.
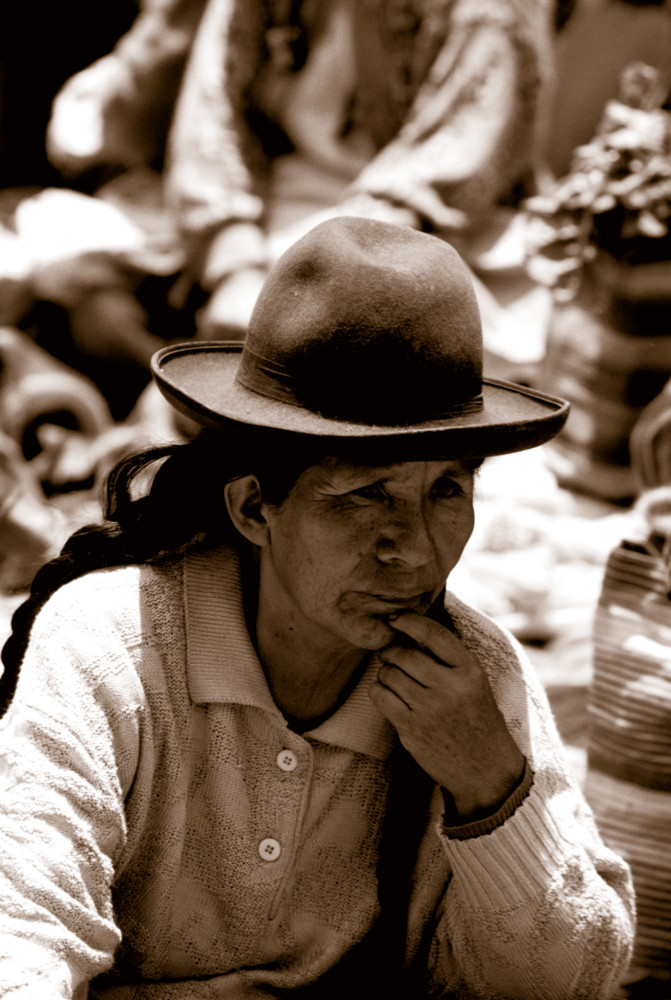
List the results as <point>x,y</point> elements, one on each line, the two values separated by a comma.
<point>366,337</point>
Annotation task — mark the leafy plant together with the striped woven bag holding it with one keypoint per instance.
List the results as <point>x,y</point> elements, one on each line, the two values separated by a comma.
<point>600,237</point>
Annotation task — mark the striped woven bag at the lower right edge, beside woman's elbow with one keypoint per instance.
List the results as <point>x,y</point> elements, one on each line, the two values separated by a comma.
<point>628,780</point>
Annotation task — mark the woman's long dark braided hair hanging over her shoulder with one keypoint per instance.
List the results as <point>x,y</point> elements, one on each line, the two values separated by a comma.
<point>180,501</point>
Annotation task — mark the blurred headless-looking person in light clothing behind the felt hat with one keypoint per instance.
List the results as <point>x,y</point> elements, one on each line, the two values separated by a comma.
<point>423,114</point>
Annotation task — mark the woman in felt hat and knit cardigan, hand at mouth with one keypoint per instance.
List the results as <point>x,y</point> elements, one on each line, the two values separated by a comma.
<point>255,748</point>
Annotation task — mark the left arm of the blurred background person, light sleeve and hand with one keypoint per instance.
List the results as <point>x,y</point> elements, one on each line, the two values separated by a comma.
<point>215,164</point>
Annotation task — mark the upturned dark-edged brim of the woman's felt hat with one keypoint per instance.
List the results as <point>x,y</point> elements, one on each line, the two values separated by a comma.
<point>199,379</point>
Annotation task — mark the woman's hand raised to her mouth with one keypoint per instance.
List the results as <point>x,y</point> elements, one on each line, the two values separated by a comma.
<point>438,698</point>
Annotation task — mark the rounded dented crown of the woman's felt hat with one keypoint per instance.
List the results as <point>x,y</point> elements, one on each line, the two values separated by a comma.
<point>364,321</point>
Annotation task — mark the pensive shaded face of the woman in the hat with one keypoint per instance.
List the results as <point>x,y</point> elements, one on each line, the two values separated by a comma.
<point>352,544</point>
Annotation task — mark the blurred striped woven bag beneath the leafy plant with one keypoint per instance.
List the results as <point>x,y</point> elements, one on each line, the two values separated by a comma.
<point>608,352</point>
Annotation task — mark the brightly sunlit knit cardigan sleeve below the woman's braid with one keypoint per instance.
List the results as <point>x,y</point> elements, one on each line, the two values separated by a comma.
<point>68,746</point>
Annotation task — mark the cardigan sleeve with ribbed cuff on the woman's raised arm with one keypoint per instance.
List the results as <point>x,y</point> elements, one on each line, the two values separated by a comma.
<point>538,906</point>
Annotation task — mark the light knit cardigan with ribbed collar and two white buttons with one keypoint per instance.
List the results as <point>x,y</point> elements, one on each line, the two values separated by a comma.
<point>164,834</point>
